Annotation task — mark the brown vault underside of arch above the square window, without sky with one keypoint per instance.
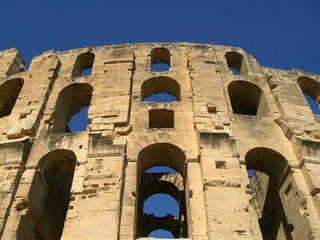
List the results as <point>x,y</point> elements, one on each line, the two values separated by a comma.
<point>160,84</point>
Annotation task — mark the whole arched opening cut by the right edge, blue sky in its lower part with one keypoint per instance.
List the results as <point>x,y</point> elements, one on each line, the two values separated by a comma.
<point>311,90</point>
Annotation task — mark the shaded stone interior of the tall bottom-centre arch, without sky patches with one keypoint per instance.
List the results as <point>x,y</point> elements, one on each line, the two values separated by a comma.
<point>169,183</point>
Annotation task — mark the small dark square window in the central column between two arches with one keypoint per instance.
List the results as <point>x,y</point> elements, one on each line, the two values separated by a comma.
<point>161,118</point>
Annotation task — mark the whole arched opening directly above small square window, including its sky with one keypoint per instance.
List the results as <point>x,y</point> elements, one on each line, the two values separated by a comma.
<point>159,85</point>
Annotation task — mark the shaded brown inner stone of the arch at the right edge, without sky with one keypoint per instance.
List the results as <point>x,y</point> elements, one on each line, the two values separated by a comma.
<point>311,88</point>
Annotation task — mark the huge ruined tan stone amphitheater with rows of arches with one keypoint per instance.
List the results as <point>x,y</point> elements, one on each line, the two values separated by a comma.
<point>240,141</point>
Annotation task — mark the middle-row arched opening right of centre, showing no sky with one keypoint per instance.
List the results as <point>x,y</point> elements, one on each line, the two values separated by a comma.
<point>247,98</point>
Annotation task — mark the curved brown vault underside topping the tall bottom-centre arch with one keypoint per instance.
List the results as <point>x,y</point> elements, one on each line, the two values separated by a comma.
<point>162,154</point>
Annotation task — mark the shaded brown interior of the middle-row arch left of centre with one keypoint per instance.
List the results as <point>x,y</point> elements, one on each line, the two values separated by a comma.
<point>71,100</point>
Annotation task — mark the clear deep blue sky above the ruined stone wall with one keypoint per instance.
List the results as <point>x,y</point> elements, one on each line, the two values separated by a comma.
<point>278,33</point>
